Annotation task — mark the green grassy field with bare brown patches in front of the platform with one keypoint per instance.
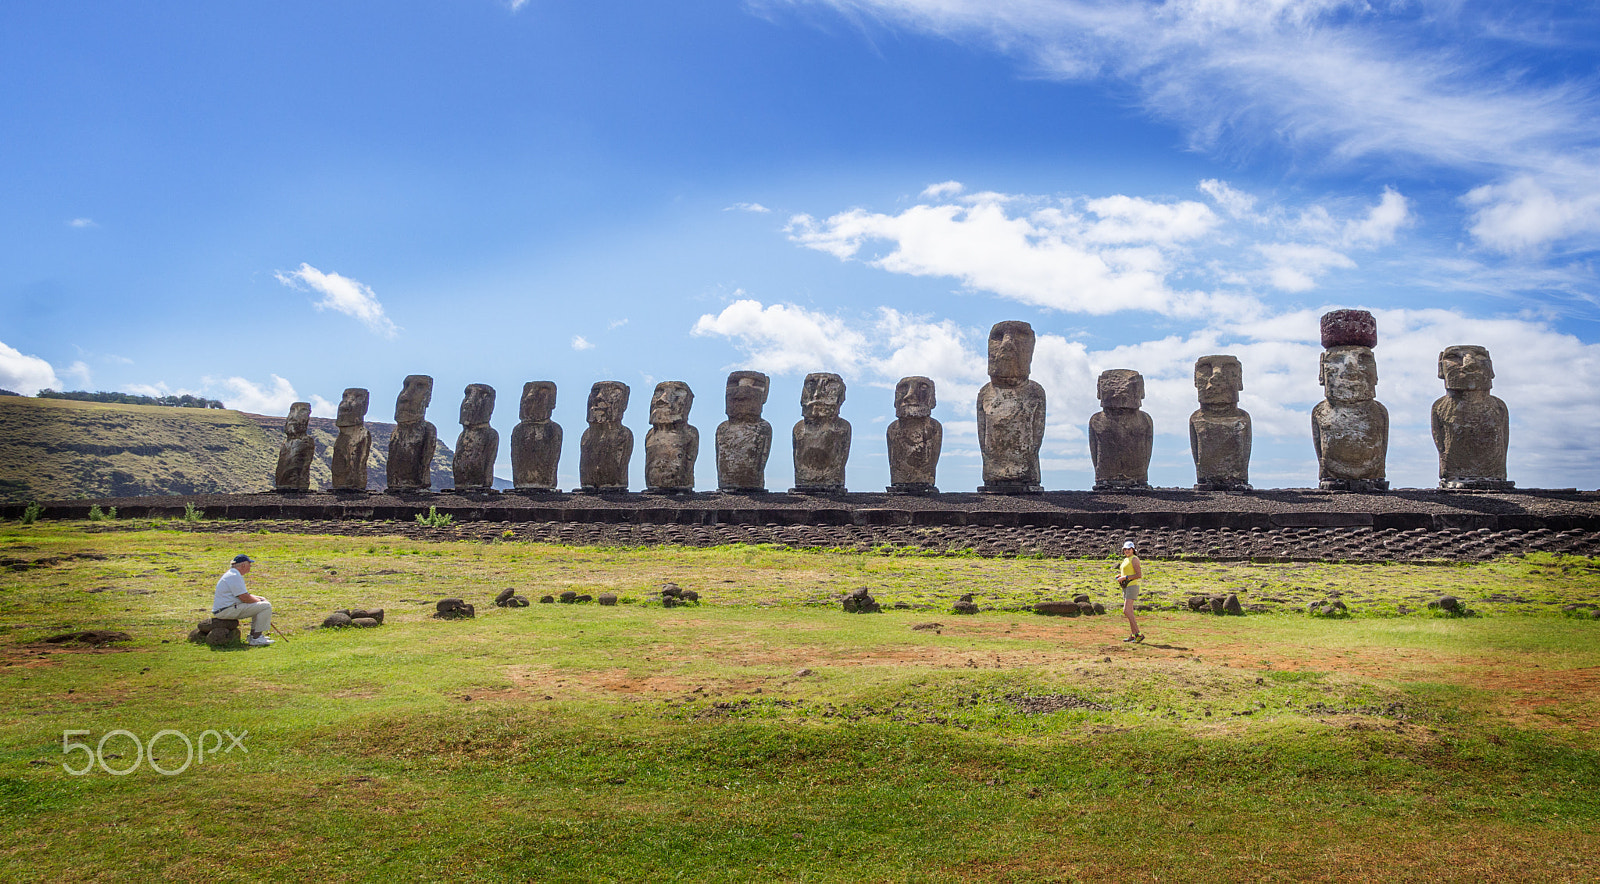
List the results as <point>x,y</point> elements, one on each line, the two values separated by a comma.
<point>766,736</point>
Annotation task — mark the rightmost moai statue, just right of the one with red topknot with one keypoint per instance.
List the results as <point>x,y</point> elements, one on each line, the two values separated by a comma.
<point>1471,425</point>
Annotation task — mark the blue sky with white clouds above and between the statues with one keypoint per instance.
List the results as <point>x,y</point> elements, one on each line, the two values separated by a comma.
<point>273,203</point>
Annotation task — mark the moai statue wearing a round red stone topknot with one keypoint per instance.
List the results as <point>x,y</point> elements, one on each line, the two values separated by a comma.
<point>1350,428</point>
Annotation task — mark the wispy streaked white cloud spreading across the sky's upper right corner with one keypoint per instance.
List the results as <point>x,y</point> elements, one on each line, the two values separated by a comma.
<point>1433,82</point>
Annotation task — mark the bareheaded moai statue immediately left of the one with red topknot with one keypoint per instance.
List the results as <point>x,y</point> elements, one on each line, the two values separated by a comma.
<point>1220,430</point>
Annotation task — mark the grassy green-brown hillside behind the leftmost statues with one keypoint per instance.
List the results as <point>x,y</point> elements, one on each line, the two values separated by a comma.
<point>57,449</point>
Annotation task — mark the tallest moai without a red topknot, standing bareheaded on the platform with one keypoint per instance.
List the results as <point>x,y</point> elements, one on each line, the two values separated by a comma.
<point>1010,414</point>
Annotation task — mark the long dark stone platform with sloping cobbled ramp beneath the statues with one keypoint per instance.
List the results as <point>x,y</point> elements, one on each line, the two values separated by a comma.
<point>1402,526</point>
